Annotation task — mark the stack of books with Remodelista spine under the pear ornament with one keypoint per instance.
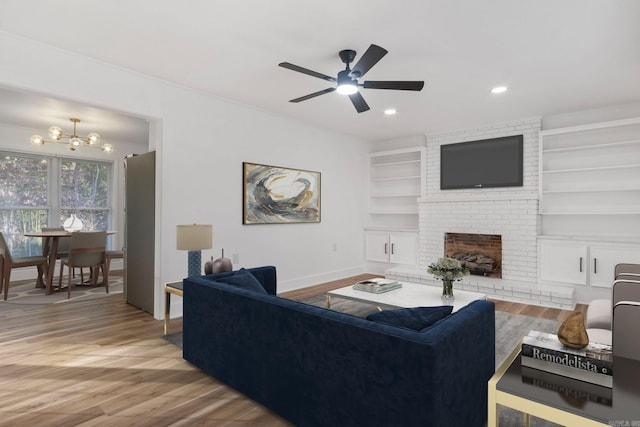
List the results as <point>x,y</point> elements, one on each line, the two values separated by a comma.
<point>593,364</point>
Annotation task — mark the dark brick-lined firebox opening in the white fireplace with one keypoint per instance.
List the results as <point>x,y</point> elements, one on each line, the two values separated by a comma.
<point>481,254</point>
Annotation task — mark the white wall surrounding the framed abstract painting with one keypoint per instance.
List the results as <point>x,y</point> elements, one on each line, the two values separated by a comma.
<point>201,145</point>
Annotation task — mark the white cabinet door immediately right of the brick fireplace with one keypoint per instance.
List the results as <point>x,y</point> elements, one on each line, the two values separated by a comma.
<point>563,262</point>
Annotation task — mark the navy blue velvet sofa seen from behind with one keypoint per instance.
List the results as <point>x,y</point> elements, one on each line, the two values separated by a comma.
<point>318,367</point>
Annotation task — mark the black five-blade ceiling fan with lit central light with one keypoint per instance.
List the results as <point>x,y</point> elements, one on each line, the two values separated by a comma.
<point>347,79</point>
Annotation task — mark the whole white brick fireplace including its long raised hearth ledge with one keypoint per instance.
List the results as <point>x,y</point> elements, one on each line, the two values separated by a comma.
<point>511,213</point>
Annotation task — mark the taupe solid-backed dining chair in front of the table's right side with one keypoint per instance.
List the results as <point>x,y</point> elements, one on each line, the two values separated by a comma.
<point>86,249</point>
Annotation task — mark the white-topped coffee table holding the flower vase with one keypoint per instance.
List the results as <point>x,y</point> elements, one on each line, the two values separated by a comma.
<point>410,295</point>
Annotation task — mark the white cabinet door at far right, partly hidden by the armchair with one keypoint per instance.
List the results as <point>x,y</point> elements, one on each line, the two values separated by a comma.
<point>603,260</point>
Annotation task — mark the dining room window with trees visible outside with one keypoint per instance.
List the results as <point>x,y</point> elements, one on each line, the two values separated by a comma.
<point>40,191</point>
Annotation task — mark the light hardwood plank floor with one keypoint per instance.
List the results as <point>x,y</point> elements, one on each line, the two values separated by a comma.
<point>104,362</point>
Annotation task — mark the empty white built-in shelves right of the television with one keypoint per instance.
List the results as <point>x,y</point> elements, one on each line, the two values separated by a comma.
<point>590,181</point>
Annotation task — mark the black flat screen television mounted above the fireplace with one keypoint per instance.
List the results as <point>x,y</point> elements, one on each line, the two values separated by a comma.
<point>495,162</point>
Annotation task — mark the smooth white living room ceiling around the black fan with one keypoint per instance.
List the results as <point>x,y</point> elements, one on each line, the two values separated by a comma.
<point>555,56</point>
